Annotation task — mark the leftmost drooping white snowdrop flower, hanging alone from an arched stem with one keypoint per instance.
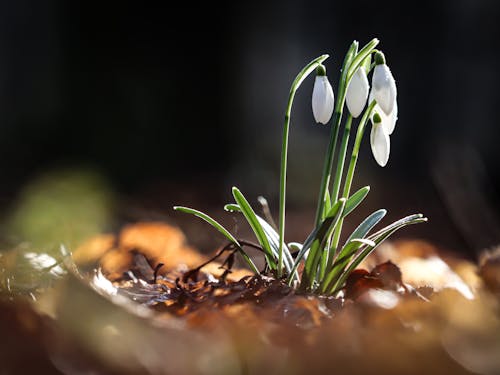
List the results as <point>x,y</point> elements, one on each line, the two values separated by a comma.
<point>322,98</point>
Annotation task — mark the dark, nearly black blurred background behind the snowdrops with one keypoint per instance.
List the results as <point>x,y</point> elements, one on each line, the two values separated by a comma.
<point>175,104</point>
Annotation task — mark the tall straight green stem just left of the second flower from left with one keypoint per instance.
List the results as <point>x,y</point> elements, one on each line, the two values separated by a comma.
<point>337,117</point>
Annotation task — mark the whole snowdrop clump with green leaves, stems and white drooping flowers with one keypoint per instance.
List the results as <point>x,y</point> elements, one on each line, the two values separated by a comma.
<point>327,262</point>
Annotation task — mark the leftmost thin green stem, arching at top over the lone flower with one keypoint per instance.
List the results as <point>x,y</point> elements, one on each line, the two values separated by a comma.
<point>308,69</point>
